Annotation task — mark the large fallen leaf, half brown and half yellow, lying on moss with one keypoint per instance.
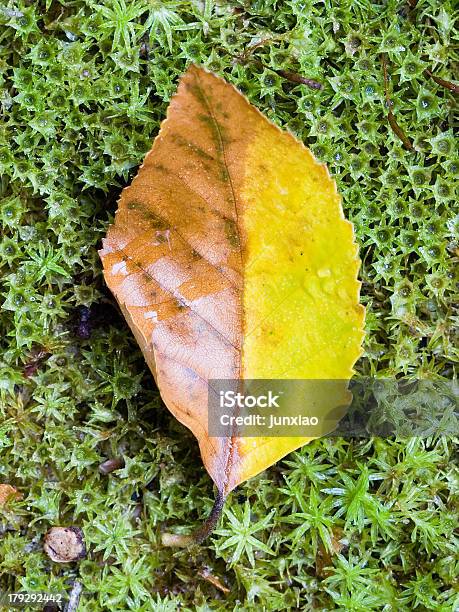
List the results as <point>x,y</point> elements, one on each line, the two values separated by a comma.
<point>231,259</point>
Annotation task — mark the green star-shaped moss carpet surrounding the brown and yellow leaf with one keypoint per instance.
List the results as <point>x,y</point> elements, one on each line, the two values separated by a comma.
<point>342,524</point>
